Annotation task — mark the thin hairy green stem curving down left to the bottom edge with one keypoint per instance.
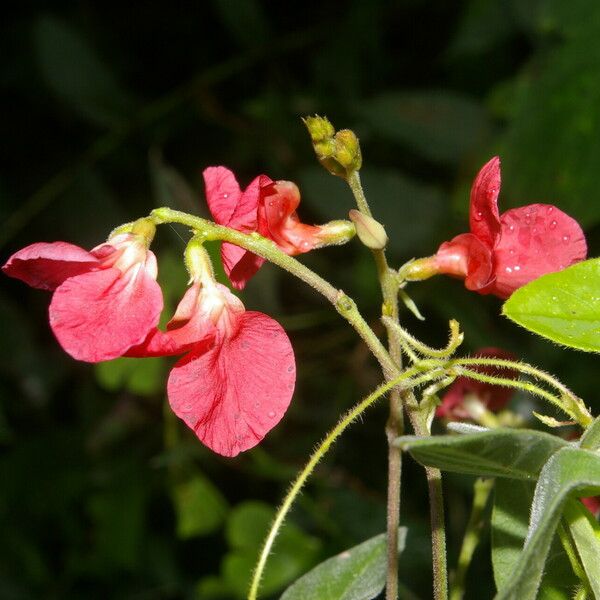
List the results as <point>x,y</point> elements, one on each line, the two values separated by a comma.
<point>317,455</point>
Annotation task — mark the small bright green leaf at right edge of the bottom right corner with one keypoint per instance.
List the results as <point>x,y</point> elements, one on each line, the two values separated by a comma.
<point>586,535</point>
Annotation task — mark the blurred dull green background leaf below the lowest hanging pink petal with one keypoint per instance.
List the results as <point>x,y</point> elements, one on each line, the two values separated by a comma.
<point>199,505</point>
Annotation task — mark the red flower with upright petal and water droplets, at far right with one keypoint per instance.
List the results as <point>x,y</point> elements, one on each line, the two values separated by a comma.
<point>502,253</point>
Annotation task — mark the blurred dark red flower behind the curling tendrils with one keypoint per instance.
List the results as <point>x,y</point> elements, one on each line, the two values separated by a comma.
<point>492,397</point>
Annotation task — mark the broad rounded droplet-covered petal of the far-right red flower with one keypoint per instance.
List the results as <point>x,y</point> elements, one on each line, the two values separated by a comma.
<point>535,240</point>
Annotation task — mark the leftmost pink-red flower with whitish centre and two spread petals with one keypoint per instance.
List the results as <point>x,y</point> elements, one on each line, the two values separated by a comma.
<point>105,301</point>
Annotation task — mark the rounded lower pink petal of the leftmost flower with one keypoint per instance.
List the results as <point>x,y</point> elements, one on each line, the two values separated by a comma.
<point>100,315</point>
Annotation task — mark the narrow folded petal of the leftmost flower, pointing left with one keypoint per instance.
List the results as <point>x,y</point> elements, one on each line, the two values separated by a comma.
<point>47,265</point>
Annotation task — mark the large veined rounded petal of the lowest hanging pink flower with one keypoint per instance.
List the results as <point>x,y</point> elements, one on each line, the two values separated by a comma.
<point>234,394</point>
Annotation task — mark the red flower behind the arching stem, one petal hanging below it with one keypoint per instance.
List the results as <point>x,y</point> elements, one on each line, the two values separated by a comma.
<point>265,206</point>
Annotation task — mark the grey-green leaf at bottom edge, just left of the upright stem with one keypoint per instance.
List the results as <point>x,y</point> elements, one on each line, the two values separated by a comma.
<point>356,574</point>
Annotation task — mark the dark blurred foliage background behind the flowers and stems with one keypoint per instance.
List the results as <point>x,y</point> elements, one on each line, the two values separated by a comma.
<point>111,111</point>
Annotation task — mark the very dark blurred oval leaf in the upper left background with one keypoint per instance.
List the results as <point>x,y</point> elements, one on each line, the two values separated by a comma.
<point>76,75</point>
